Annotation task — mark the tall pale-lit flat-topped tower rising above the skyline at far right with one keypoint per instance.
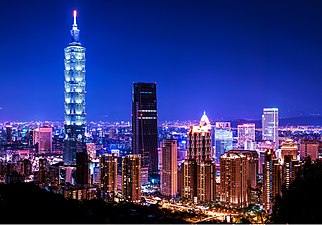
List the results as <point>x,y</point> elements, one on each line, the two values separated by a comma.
<point>270,125</point>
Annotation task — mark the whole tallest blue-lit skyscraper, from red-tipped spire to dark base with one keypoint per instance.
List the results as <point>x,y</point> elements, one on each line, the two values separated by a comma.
<point>75,116</point>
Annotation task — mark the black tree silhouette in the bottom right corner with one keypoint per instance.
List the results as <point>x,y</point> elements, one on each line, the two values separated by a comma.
<point>301,203</point>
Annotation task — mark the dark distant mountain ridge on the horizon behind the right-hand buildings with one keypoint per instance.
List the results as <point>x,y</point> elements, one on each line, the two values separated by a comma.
<point>291,121</point>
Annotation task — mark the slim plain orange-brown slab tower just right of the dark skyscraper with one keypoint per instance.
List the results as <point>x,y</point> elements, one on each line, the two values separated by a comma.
<point>169,168</point>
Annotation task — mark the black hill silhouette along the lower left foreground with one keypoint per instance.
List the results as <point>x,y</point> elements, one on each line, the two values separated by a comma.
<point>25,203</point>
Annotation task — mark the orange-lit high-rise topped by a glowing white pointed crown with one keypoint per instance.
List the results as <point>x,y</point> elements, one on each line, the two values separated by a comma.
<point>198,172</point>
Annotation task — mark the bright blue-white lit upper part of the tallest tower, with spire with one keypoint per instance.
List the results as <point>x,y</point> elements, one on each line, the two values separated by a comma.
<point>75,80</point>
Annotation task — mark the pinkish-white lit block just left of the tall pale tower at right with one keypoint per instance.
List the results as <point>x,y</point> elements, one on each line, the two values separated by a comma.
<point>246,133</point>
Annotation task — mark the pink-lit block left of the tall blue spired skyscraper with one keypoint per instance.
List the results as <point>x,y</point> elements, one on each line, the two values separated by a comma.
<point>43,136</point>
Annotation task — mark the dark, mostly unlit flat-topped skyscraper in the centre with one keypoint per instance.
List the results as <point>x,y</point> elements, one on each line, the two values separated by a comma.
<point>145,125</point>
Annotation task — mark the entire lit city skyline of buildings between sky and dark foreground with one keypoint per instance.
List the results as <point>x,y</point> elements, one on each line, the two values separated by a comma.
<point>199,163</point>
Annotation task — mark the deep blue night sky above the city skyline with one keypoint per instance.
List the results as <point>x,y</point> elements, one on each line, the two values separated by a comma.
<point>230,58</point>
